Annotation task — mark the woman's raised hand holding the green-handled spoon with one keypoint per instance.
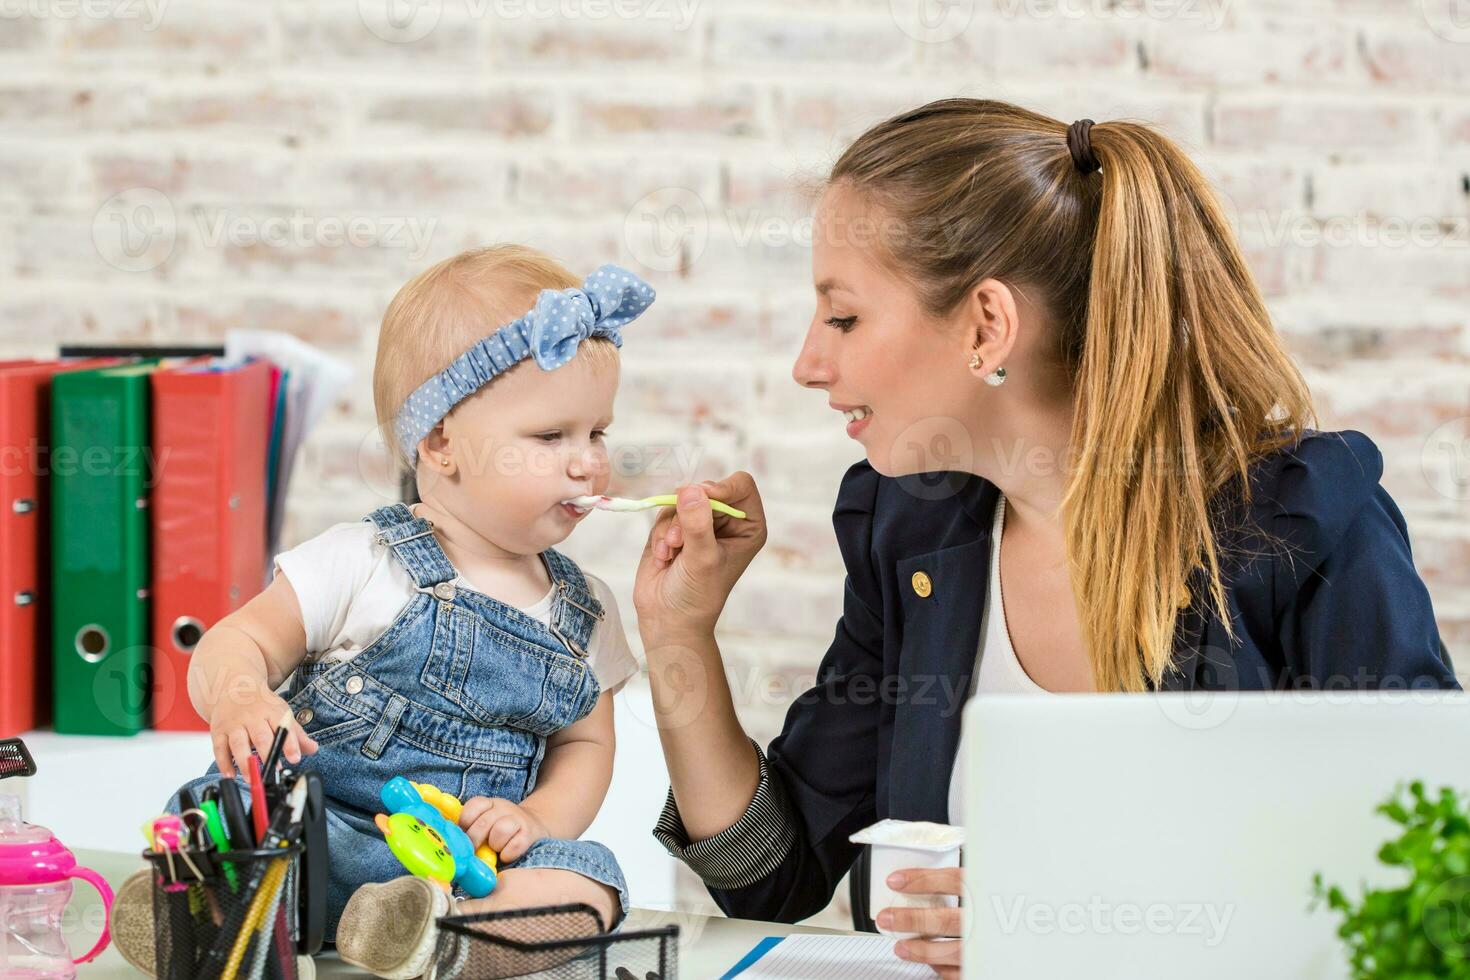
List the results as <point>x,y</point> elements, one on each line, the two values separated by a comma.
<point>695,556</point>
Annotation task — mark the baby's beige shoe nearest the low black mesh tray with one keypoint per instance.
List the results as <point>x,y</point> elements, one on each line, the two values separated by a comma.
<point>389,928</point>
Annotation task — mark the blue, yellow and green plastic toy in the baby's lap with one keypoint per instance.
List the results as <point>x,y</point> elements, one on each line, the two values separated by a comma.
<point>424,834</point>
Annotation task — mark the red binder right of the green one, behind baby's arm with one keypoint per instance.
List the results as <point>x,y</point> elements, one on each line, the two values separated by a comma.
<point>211,433</point>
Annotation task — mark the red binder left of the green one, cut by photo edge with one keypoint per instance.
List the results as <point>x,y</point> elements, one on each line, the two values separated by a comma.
<point>26,656</point>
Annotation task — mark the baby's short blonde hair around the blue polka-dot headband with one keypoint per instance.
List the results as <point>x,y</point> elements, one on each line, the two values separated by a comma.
<point>446,309</point>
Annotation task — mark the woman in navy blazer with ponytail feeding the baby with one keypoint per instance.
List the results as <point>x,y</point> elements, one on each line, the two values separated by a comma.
<point>1061,318</point>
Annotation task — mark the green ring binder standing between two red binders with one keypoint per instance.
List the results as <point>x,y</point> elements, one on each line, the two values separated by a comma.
<point>101,477</point>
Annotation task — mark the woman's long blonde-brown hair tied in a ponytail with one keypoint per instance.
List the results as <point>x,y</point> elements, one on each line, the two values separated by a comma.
<point>1178,377</point>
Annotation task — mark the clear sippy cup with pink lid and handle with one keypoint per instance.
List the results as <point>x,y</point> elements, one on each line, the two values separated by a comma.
<point>36,884</point>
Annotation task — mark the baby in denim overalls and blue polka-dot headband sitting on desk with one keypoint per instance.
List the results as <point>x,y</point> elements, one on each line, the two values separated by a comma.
<point>448,641</point>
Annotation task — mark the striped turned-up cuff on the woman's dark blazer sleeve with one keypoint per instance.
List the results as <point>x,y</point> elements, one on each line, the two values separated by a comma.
<point>745,853</point>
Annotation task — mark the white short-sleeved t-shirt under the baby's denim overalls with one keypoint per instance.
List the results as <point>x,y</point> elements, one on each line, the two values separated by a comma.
<point>352,590</point>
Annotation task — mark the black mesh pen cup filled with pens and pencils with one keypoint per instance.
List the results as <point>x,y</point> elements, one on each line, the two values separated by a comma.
<point>201,913</point>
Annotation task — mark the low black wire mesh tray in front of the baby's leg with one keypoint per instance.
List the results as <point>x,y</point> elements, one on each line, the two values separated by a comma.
<point>558,943</point>
